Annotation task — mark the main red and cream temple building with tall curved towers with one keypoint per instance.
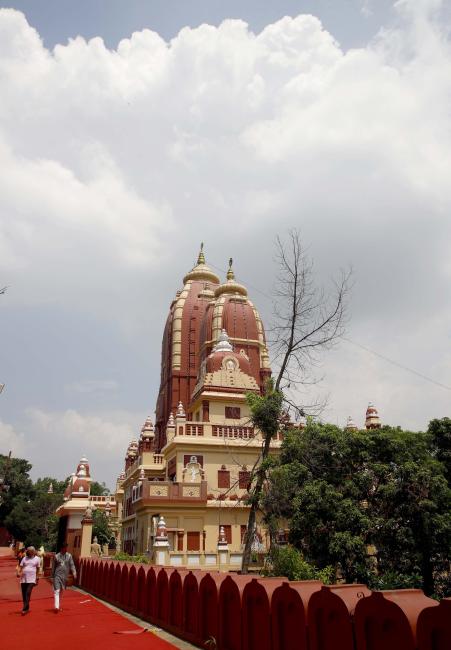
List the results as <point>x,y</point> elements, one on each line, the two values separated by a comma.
<point>185,479</point>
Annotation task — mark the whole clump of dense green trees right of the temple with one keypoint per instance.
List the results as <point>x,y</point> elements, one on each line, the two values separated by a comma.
<point>343,492</point>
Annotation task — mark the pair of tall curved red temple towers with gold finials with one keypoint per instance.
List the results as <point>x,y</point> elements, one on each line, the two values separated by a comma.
<point>197,316</point>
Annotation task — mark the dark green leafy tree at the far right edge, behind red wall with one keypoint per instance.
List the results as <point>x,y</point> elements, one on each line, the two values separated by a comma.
<point>411,507</point>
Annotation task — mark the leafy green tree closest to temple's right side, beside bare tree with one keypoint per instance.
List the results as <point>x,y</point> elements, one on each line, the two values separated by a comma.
<point>317,487</point>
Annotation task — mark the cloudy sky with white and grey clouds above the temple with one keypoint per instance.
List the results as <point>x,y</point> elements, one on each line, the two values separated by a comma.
<point>118,159</point>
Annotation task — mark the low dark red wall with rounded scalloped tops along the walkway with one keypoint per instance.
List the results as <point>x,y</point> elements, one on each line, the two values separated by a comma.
<point>248,613</point>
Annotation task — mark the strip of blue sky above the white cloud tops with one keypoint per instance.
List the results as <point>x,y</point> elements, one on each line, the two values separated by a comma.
<point>353,22</point>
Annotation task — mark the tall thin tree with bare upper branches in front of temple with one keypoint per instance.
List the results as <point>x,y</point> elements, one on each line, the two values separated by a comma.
<point>307,322</point>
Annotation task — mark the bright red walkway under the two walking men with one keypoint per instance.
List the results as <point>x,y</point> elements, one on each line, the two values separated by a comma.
<point>83,623</point>
